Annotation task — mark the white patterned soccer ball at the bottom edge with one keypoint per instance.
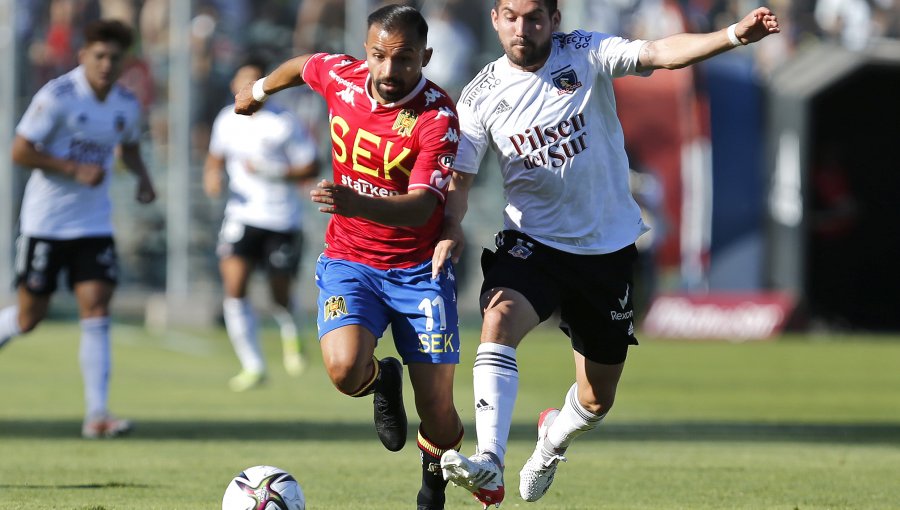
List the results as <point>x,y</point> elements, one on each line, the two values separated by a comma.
<point>263,488</point>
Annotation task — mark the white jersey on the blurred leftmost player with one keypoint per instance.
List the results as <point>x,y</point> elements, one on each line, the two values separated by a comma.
<point>65,119</point>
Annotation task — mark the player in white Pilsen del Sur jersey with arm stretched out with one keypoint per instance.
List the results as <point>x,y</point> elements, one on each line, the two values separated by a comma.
<point>547,108</point>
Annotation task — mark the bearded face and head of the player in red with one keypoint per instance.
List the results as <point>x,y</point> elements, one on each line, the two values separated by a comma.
<point>395,63</point>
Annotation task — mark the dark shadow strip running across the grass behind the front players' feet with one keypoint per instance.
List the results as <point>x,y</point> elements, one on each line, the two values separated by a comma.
<point>859,433</point>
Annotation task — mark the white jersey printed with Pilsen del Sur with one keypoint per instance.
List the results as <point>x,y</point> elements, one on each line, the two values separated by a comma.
<point>559,143</point>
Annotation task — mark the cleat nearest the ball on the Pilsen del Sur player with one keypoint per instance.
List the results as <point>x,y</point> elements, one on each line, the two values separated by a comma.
<point>480,474</point>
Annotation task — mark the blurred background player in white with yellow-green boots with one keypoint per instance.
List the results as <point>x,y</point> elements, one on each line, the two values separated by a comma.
<point>266,157</point>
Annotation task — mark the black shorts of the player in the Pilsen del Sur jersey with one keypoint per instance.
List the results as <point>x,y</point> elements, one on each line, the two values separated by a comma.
<point>592,293</point>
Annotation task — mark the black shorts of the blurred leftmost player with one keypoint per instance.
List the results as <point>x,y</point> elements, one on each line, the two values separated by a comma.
<point>39,262</point>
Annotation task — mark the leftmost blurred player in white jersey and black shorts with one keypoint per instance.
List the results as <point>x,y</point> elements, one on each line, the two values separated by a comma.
<point>68,137</point>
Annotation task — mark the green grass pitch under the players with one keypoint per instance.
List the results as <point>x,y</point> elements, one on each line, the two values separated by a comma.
<point>799,423</point>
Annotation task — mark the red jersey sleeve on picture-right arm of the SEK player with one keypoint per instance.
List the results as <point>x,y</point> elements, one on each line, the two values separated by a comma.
<point>438,143</point>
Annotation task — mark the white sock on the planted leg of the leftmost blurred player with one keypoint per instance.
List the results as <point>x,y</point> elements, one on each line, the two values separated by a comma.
<point>95,355</point>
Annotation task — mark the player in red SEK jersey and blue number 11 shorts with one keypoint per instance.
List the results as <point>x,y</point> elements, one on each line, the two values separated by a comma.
<point>394,136</point>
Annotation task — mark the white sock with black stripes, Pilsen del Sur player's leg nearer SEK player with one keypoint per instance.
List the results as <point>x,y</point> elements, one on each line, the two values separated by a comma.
<point>496,380</point>
